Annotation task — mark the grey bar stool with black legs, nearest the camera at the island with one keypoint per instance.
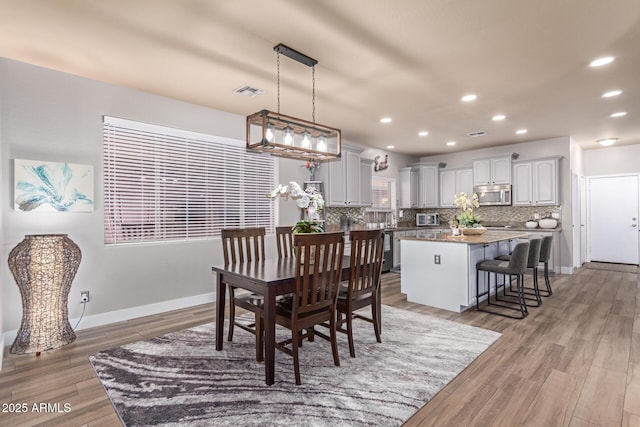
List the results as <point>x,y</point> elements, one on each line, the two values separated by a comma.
<point>516,266</point>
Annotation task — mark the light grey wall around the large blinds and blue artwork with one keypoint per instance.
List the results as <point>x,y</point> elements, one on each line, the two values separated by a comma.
<point>47,115</point>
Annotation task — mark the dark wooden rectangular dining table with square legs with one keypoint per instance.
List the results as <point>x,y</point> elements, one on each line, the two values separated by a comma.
<point>270,278</point>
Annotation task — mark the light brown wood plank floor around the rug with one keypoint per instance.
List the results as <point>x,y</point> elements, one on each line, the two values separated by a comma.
<point>574,362</point>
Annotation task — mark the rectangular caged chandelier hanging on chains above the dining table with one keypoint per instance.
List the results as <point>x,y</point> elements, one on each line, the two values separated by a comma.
<point>288,136</point>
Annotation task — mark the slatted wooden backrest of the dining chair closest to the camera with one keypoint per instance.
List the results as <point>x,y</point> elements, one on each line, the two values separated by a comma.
<point>319,270</point>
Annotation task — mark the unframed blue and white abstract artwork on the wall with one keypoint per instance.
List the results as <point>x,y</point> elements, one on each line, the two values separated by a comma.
<point>53,187</point>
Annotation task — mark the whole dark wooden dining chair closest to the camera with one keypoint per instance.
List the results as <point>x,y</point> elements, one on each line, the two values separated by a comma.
<point>314,301</point>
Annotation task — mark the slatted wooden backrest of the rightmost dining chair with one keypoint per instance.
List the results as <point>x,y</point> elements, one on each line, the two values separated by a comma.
<point>367,249</point>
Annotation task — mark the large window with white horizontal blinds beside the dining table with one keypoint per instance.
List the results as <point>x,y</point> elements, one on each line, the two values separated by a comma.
<point>168,184</point>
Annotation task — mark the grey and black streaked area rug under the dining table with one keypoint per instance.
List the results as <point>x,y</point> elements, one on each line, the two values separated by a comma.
<point>179,379</point>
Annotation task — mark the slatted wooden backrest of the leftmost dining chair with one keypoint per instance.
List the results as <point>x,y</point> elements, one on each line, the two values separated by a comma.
<point>243,244</point>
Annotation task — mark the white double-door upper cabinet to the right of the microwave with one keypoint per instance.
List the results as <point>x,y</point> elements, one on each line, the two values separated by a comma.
<point>535,182</point>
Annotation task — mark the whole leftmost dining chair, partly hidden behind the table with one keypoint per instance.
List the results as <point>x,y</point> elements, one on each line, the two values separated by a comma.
<point>240,245</point>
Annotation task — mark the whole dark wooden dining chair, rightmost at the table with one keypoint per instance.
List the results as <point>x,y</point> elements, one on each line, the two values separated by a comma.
<point>367,248</point>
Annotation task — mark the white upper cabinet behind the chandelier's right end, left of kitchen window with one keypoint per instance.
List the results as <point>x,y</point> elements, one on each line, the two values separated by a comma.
<point>346,181</point>
